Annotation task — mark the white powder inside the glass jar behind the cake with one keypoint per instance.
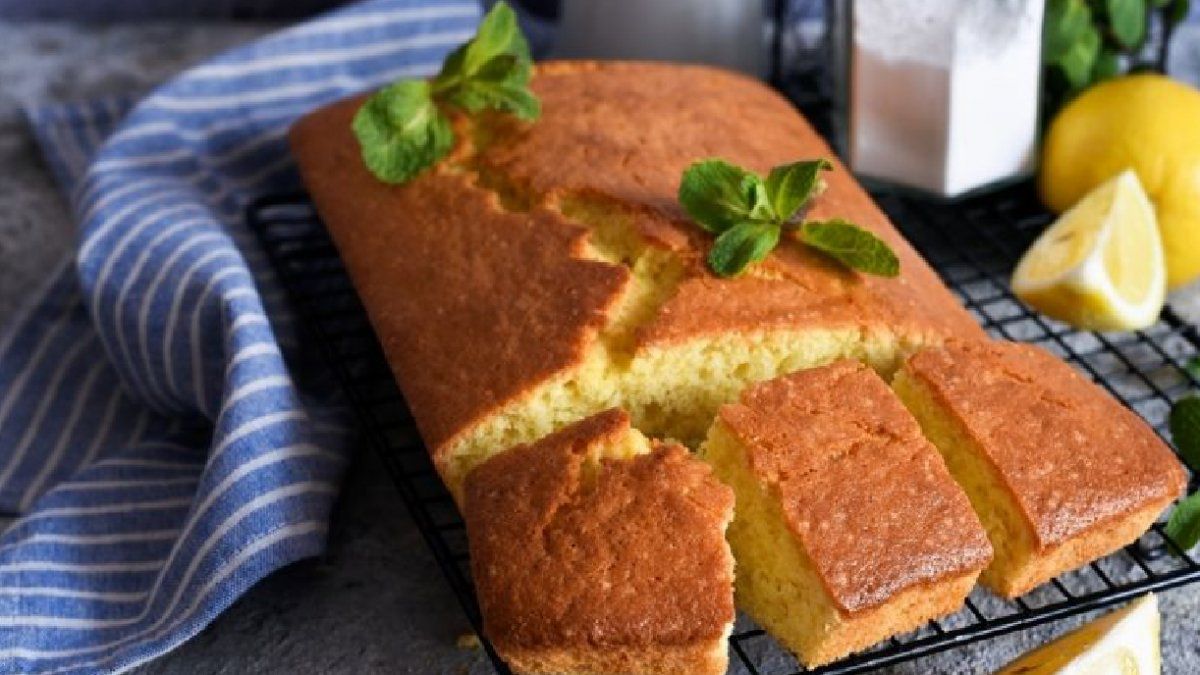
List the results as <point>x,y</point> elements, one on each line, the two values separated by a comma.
<point>945,93</point>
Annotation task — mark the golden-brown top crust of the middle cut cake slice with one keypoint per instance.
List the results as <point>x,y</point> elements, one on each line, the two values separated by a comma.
<point>867,497</point>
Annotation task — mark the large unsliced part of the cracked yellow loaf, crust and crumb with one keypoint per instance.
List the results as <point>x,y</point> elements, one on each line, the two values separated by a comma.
<point>545,272</point>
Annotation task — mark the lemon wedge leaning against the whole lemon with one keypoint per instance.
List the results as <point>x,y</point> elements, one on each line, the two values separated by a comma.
<point>1100,267</point>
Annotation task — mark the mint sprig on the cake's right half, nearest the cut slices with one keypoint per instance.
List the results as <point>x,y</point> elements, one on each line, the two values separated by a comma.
<point>751,216</point>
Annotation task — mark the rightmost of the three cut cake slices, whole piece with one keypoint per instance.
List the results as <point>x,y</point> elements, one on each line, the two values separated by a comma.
<point>1060,473</point>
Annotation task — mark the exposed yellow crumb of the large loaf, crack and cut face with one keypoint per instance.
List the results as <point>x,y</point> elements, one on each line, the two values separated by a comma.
<point>670,392</point>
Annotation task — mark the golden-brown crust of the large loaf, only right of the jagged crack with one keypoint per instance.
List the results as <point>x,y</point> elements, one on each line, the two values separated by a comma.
<point>622,132</point>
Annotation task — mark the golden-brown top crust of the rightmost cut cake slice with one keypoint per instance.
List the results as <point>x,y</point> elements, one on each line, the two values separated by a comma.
<point>1071,457</point>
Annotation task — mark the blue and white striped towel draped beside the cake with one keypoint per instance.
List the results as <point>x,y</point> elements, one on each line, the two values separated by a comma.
<point>161,450</point>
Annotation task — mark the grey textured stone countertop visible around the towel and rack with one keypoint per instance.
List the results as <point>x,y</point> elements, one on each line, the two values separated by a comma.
<point>377,604</point>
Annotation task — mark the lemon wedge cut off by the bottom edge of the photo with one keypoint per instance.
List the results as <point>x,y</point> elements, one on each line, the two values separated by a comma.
<point>1121,643</point>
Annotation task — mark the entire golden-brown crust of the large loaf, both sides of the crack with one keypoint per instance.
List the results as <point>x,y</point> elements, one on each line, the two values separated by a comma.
<point>477,306</point>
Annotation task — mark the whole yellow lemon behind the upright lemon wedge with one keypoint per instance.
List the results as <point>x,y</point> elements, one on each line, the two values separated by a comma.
<point>1150,124</point>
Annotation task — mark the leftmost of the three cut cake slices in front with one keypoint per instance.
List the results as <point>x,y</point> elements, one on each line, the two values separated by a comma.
<point>596,552</point>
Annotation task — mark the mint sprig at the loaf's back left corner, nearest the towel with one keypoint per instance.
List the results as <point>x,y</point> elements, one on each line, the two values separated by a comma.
<point>404,129</point>
